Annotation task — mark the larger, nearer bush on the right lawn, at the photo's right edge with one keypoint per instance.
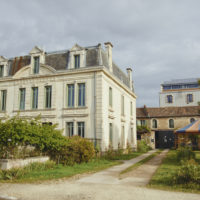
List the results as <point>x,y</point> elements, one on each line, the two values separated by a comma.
<point>189,172</point>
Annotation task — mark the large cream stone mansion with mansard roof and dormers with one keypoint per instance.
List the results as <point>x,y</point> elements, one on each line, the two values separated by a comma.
<point>81,89</point>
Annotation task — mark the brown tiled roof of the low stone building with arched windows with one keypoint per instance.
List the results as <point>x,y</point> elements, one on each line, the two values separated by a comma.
<point>146,112</point>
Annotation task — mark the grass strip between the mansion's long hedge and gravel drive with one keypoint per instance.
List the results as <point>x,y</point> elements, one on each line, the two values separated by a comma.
<point>60,171</point>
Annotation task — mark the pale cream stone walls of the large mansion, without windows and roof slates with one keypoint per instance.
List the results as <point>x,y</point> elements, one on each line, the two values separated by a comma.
<point>96,113</point>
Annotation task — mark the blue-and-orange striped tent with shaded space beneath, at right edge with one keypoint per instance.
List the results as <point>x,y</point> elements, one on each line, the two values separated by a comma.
<point>188,136</point>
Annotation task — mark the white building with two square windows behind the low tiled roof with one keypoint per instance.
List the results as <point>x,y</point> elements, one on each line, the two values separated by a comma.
<point>181,92</point>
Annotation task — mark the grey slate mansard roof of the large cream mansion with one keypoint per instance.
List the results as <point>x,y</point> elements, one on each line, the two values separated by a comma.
<point>59,61</point>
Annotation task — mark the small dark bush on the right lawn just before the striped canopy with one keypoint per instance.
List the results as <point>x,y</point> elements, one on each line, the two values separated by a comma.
<point>185,153</point>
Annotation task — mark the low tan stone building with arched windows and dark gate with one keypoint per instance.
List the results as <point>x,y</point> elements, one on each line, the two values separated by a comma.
<point>163,122</point>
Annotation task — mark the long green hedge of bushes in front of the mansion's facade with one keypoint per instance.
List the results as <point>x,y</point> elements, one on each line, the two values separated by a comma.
<point>17,134</point>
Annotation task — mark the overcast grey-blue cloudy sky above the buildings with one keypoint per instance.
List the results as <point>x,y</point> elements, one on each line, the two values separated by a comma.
<point>159,39</point>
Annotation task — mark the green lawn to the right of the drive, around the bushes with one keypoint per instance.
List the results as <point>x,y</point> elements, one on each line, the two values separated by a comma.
<point>163,177</point>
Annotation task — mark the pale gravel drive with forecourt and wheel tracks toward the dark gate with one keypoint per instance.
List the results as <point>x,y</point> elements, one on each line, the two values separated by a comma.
<point>105,188</point>
